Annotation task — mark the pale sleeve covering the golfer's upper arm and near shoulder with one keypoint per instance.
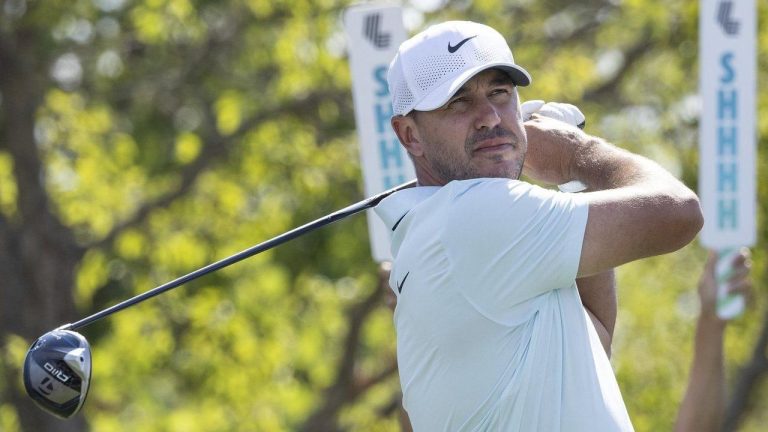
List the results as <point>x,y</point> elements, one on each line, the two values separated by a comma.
<point>510,241</point>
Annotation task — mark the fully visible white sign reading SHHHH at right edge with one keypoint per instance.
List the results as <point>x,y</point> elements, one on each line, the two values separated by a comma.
<point>727,134</point>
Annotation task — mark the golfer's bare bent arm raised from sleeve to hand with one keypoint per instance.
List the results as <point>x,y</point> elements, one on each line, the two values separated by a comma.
<point>637,209</point>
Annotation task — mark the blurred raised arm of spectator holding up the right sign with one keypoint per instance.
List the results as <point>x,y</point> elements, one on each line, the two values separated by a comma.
<point>704,402</point>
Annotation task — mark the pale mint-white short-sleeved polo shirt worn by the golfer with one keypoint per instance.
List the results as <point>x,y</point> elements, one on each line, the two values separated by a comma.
<point>491,332</point>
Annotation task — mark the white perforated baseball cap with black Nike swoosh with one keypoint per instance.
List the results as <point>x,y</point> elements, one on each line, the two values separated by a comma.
<point>431,66</point>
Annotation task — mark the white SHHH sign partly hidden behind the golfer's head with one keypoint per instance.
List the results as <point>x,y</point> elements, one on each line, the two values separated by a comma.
<point>373,35</point>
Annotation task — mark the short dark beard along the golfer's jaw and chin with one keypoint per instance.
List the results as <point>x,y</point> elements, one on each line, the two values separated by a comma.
<point>460,166</point>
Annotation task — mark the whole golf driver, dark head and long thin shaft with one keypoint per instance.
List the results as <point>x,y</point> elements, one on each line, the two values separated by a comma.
<point>57,367</point>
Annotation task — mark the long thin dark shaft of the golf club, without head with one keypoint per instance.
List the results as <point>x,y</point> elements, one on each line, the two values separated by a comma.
<point>253,250</point>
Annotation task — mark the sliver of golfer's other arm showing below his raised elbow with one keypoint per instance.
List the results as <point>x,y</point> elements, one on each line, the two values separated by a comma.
<point>598,295</point>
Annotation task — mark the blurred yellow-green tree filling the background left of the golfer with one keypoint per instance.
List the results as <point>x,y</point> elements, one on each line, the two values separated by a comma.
<point>149,139</point>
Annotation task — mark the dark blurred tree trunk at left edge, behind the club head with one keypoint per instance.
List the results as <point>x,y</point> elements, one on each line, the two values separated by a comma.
<point>38,254</point>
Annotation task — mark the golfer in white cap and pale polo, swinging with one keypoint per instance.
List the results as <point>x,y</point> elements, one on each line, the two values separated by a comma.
<point>491,331</point>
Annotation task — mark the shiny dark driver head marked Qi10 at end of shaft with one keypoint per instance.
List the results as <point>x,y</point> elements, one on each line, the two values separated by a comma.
<point>57,372</point>
